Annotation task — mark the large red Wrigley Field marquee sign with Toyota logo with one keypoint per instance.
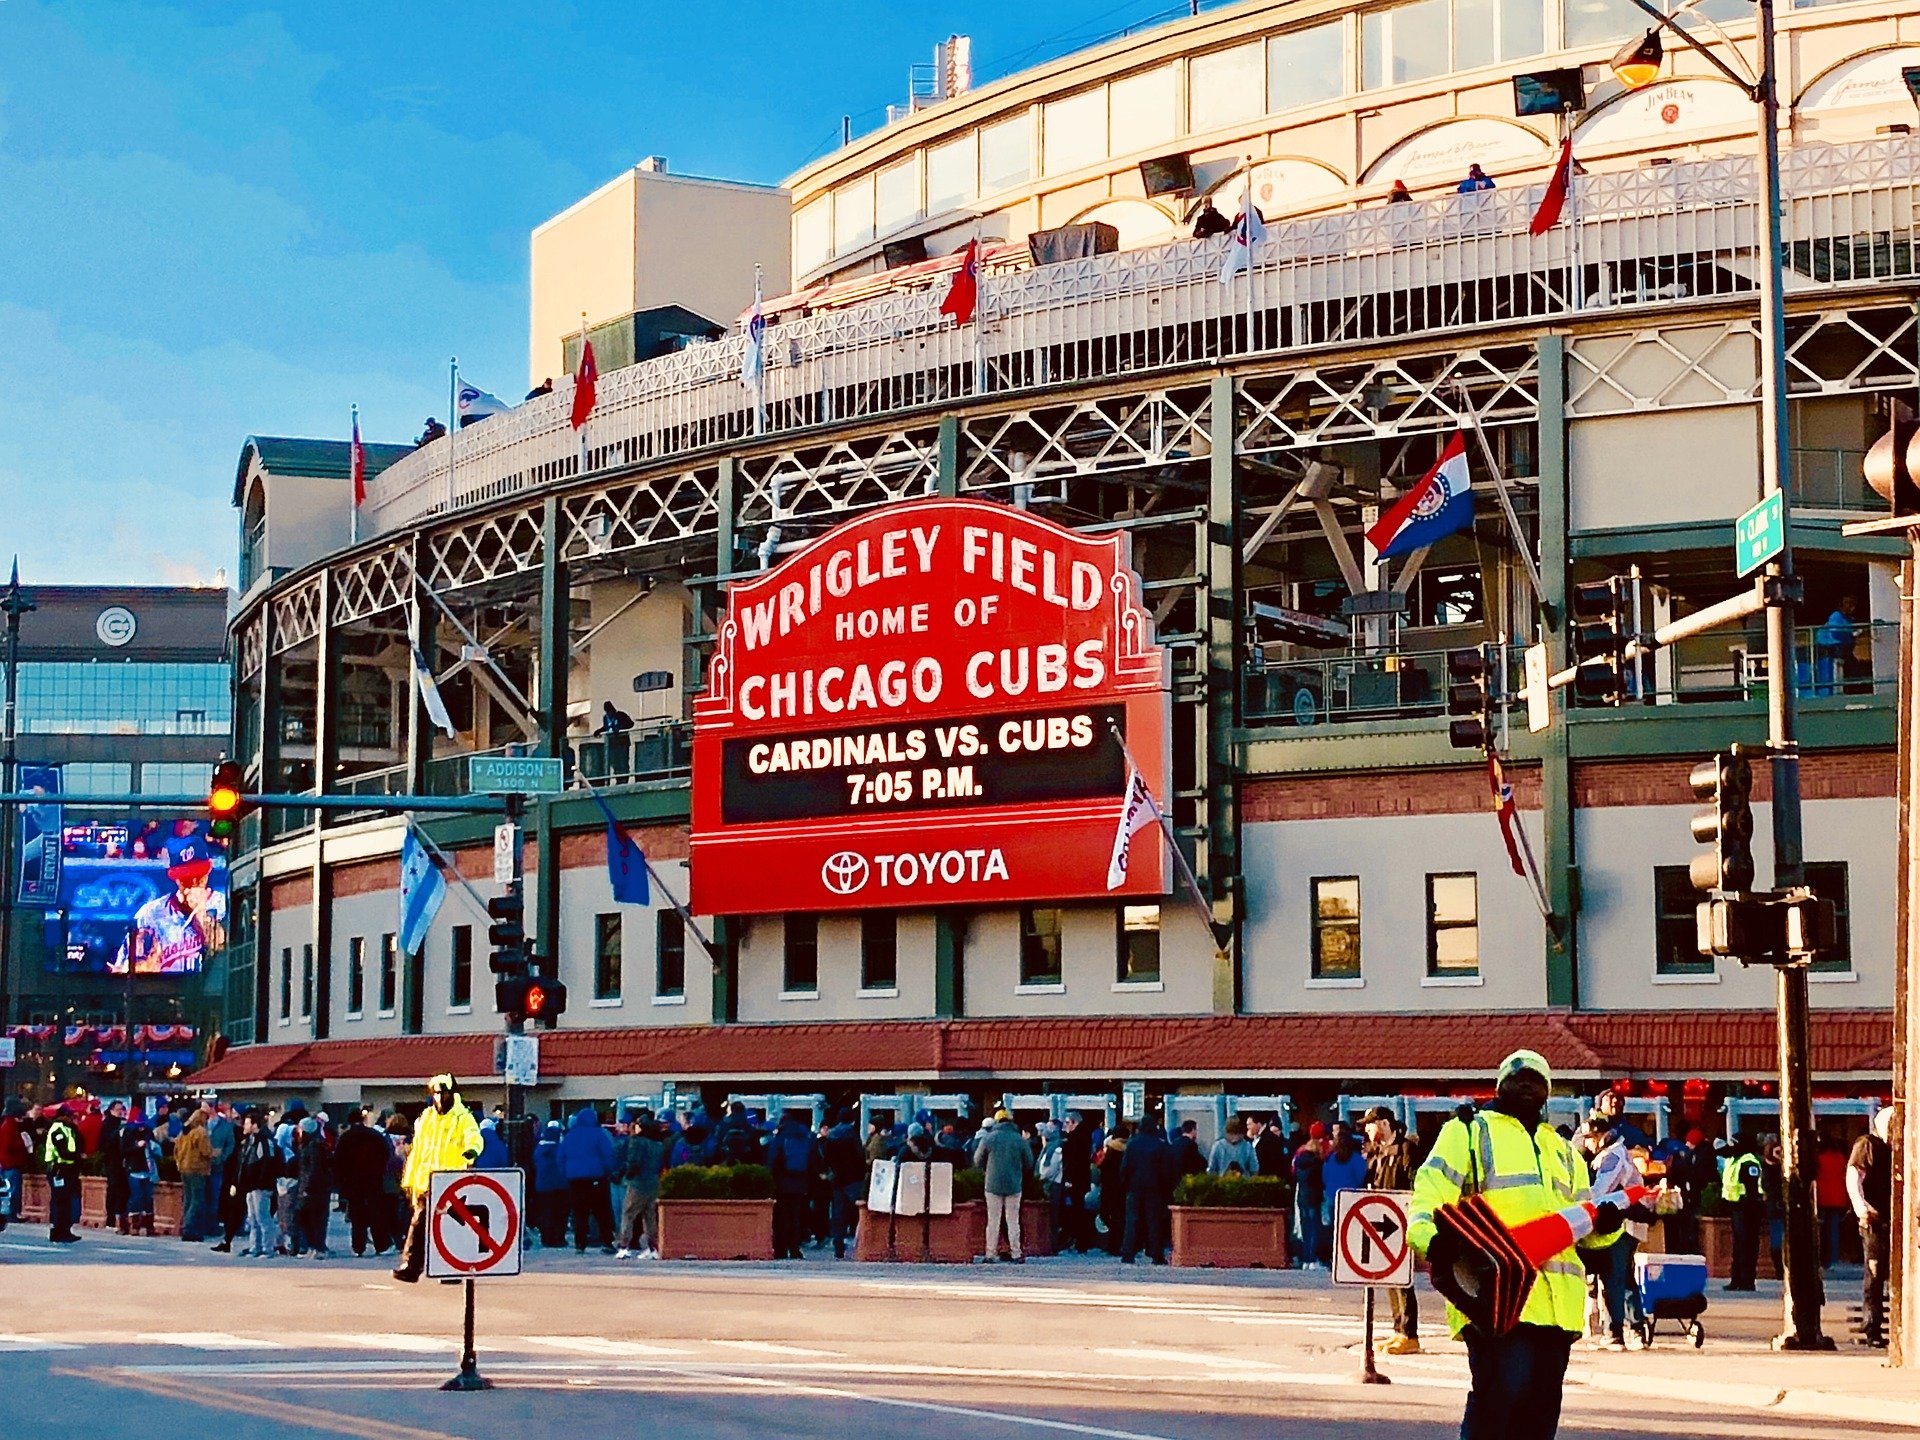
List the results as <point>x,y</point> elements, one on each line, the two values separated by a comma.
<point>919,709</point>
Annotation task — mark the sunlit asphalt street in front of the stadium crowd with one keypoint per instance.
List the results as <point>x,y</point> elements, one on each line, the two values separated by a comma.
<point>133,1339</point>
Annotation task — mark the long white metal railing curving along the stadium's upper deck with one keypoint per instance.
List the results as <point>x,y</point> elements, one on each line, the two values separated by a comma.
<point>1633,237</point>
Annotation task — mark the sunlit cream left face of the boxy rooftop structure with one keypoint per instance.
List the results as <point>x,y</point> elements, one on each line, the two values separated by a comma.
<point>583,260</point>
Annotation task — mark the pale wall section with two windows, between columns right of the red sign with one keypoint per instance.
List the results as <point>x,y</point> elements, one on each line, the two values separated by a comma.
<point>1393,857</point>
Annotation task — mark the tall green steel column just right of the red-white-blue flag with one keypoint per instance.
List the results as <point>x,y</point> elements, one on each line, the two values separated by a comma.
<point>1556,765</point>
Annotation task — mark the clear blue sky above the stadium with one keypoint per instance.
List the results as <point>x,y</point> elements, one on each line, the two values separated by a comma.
<point>226,220</point>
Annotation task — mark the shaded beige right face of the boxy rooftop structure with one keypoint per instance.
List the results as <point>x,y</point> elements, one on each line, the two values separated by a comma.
<point>698,243</point>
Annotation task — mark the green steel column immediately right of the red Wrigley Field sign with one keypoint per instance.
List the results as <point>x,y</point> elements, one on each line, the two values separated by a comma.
<point>1218,621</point>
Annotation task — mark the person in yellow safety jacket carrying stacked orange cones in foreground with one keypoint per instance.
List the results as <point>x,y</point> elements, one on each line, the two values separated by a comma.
<point>1525,1170</point>
